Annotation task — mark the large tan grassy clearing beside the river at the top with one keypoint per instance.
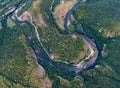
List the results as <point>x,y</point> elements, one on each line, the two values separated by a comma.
<point>61,10</point>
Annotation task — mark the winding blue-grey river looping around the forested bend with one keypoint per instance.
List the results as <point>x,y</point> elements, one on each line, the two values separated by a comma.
<point>42,55</point>
